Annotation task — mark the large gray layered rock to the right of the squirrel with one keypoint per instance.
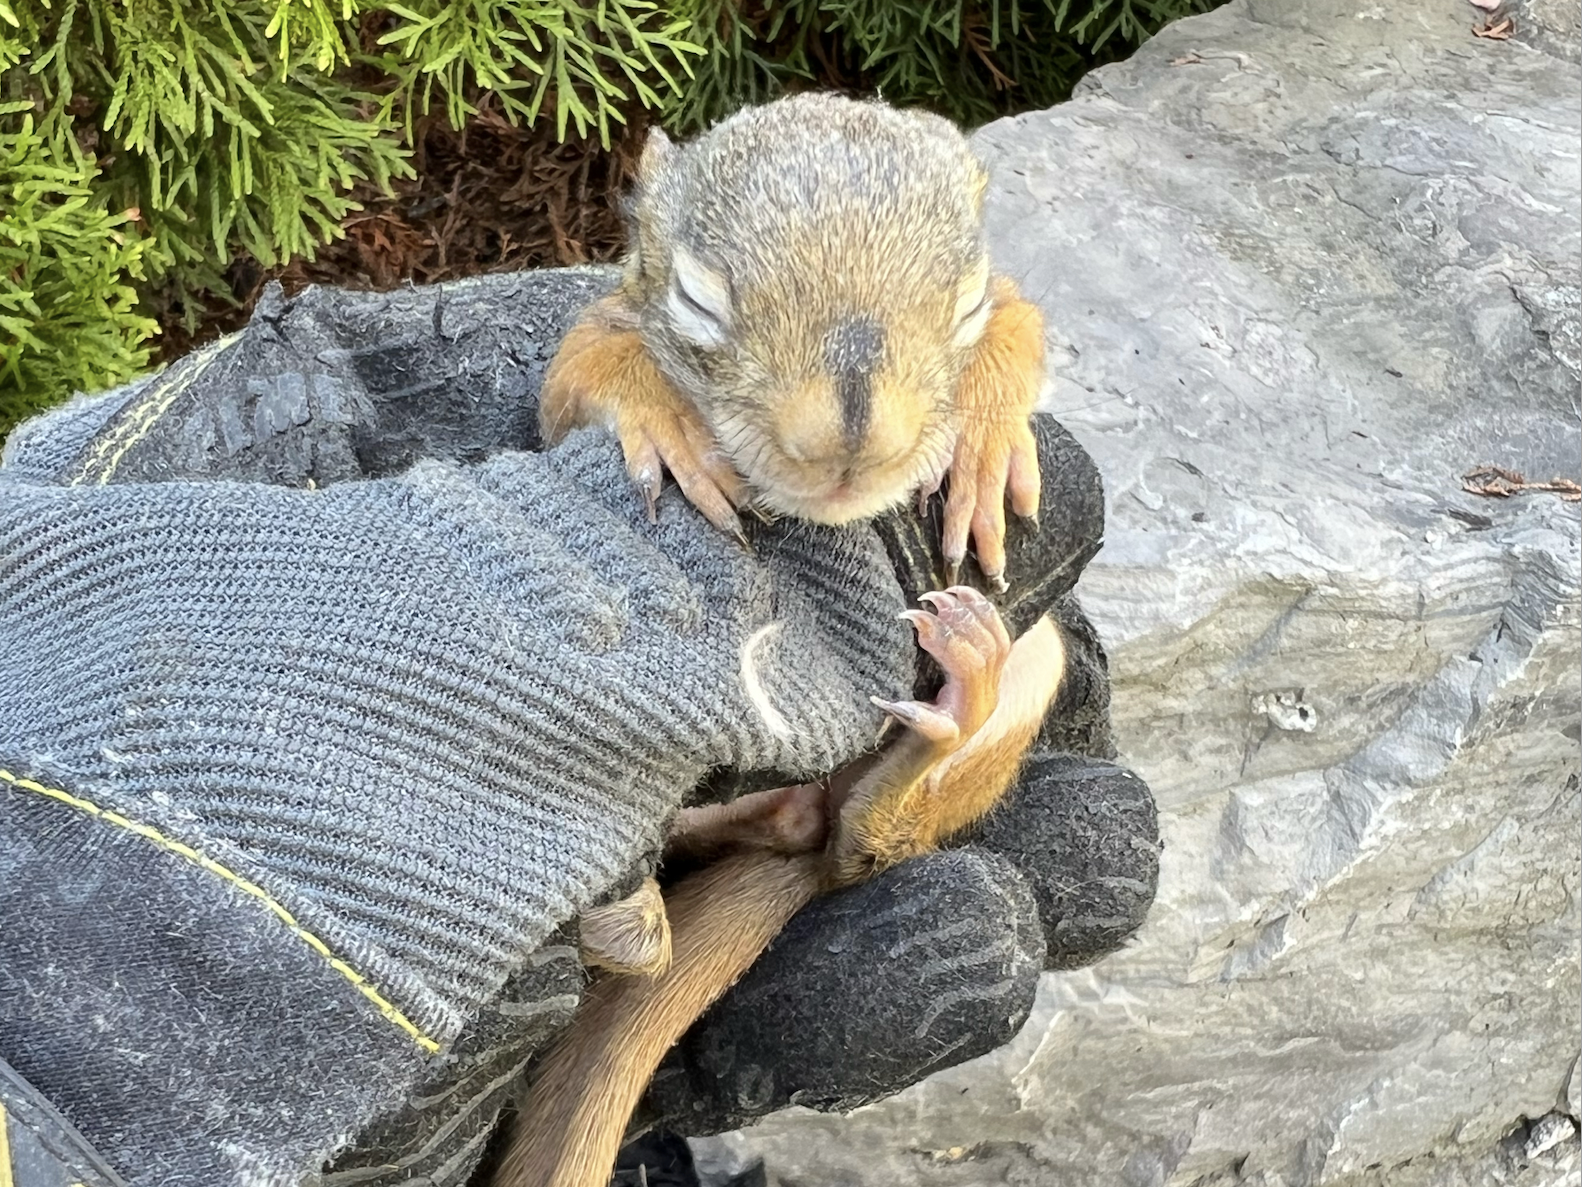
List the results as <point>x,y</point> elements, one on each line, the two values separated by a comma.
<point>1306,265</point>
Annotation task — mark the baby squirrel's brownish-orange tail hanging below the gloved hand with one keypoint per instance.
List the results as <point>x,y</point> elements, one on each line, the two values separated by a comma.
<point>575,1118</point>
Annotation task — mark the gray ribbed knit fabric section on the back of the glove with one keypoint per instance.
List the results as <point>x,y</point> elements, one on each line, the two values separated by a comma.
<point>434,716</point>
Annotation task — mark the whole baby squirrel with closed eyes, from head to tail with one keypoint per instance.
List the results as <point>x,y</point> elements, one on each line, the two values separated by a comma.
<point>808,327</point>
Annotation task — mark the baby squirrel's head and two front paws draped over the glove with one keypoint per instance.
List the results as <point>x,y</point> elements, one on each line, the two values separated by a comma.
<point>808,325</point>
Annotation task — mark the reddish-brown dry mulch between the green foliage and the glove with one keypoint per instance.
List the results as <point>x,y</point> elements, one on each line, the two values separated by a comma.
<point>488,199</point>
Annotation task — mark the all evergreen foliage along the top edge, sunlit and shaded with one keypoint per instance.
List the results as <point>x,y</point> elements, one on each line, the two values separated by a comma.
<point>146,145</point>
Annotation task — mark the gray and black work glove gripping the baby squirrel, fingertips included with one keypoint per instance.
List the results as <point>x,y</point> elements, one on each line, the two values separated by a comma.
<point>316,749</point>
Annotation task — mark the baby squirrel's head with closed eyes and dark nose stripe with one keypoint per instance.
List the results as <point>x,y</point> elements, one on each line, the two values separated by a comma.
<point>812,276</point>
